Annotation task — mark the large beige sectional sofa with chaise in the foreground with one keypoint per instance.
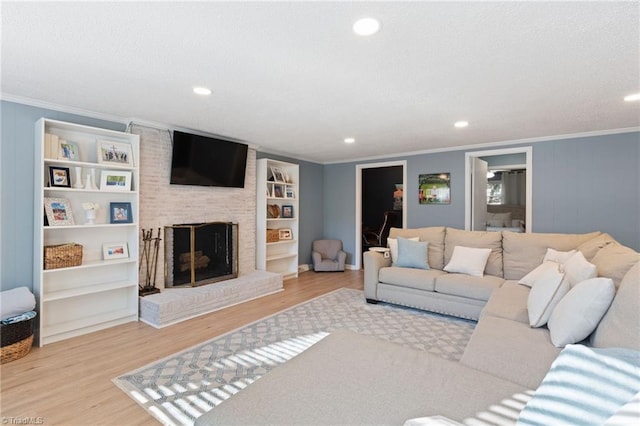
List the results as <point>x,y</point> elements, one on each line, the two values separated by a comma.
<point>352,379</point>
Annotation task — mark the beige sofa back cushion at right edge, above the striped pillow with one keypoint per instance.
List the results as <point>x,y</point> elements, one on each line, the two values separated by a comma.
<point>620,326</point>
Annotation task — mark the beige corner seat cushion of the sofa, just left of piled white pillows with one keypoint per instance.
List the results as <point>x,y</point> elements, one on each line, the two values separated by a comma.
<point>509,302</point>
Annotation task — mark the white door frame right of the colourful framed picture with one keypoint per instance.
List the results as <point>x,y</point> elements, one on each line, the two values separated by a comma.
<point>528,151</point>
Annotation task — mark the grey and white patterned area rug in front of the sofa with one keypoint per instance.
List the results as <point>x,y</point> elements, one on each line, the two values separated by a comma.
<point>180,388</point>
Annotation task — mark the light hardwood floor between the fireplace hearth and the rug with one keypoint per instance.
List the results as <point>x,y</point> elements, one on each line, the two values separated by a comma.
<point>69,382</point>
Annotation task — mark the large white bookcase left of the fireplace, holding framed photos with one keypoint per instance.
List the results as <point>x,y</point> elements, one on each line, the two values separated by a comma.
<point>86,193</point>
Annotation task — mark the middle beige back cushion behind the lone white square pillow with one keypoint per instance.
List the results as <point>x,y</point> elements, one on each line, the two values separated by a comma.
<point>477,239</point>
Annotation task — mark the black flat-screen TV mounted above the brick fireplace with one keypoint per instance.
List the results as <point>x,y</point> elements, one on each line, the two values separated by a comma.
<point>207,161</point>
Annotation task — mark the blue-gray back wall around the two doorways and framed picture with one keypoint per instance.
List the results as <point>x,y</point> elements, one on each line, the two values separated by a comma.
<point>579,185</point>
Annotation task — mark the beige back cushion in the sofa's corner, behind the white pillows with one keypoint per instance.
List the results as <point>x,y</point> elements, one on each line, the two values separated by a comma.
<point>522,253</point>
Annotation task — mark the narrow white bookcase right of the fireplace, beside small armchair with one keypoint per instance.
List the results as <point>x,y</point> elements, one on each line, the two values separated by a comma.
<point>277,219</point>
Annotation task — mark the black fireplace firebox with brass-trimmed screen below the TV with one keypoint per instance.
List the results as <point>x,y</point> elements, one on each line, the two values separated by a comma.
<point>200,253</point>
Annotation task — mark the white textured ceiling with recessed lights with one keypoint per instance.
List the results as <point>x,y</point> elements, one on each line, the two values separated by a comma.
<point>291,77</point>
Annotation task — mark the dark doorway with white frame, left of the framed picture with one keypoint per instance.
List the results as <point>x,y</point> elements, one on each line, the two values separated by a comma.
<point>384,199</point>
